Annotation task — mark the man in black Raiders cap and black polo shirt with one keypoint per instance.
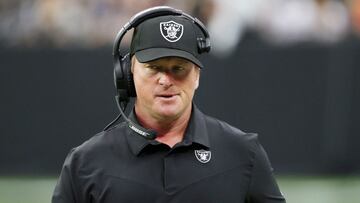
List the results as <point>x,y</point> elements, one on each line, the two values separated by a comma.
<point>194,158</point>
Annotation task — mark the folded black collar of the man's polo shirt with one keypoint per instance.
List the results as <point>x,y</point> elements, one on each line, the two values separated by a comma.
<point>196,132</point>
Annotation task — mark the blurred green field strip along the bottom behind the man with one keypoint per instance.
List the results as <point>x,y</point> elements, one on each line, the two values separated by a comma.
<point>297,189</point>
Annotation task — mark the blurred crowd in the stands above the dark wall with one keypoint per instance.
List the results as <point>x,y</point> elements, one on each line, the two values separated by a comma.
<point>94,23</point>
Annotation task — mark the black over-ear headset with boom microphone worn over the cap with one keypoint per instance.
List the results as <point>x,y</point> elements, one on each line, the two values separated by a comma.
<point>123,77</point>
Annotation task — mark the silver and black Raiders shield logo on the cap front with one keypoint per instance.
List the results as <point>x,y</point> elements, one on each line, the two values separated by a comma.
<point>171,30</point>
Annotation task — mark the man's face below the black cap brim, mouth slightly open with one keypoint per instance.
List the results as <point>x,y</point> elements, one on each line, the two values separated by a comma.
<point>165,87</point>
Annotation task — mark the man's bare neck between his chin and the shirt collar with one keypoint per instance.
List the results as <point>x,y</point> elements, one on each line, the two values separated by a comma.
<point>169,131</point>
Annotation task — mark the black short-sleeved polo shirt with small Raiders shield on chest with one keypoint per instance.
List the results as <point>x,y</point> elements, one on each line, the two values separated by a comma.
<point>214,163</point>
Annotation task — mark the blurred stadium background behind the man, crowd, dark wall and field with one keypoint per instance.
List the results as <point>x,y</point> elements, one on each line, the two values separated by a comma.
<point>286,69</point>
